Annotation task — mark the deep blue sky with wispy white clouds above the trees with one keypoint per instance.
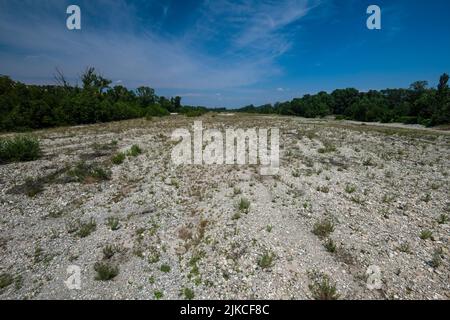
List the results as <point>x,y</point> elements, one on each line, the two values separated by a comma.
<point>229,53</point>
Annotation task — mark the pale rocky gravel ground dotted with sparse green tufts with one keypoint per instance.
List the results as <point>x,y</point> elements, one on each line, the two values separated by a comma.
<point>349,197</point>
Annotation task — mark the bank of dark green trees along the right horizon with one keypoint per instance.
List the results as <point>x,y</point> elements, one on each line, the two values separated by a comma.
<point>417,104</point>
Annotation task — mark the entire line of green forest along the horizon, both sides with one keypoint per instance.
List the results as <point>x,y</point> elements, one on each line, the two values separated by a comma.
<point>27,107</point>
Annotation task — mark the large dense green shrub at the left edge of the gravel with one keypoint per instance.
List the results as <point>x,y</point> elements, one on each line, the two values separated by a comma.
<point>19,148</point>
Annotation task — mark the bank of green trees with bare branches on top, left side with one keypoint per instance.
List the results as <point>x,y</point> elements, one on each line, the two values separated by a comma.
<point>25,107</point>
